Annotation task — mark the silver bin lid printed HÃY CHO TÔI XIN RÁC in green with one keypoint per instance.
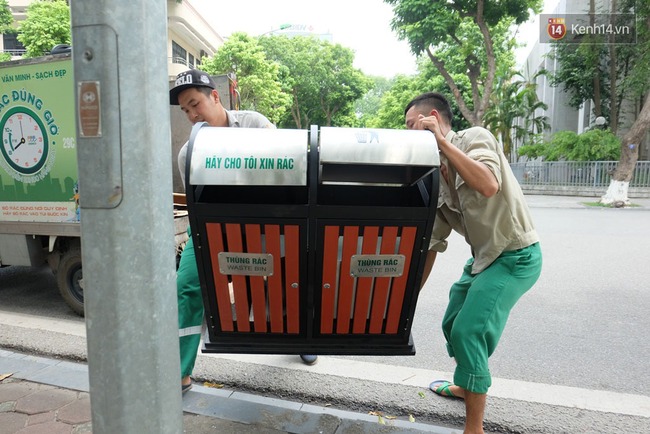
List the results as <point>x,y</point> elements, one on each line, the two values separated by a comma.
<point>249,156</point>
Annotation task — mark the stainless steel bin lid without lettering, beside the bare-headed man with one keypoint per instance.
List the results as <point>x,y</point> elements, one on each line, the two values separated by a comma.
<point>378,156</point>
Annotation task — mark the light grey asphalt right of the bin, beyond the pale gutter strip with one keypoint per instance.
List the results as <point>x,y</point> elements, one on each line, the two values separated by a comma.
<point>585,319</point>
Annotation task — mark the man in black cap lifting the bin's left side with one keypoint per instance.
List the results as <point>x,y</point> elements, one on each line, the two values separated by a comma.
<point>195,92</point>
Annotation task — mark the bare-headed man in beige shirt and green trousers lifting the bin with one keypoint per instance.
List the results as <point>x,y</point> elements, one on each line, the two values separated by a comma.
<point>480,198</point>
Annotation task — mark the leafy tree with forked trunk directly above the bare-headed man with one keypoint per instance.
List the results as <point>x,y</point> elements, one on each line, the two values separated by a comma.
<point>463,36</point>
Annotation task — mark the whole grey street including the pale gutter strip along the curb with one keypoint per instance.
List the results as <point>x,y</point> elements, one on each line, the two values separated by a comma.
<point>573,358</point>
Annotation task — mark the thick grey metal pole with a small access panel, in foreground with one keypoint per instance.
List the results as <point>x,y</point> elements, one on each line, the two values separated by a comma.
<point>123,146</point>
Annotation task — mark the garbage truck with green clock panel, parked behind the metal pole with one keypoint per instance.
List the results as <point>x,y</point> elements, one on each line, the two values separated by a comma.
<point>39,183</point>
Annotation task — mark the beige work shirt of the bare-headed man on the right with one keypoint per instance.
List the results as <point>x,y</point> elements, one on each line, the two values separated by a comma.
<point>490,225</point>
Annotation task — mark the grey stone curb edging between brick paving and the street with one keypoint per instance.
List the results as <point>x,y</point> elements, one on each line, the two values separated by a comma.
<point>224,404</point>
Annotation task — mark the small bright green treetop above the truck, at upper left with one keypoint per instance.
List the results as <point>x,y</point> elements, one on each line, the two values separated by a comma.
<point>47,24</point>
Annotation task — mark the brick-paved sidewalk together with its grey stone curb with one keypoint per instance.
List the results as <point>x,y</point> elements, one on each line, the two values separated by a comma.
<point>47,396</point>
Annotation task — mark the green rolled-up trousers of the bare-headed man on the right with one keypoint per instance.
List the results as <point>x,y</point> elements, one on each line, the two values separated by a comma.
<point>479,306</point>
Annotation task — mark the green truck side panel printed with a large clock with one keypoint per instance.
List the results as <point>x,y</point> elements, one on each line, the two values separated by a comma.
<point>38,159</point>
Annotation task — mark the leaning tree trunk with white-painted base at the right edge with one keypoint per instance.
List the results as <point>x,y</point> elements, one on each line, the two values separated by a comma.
<point>618,187</point>
